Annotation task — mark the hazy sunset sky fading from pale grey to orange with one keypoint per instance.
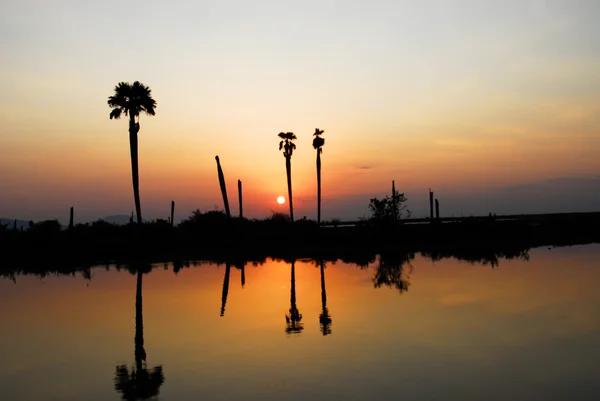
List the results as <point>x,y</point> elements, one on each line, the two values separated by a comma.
<point>495,105</point>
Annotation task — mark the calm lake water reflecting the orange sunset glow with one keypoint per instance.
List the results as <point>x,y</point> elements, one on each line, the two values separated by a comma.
<point>442,330</point>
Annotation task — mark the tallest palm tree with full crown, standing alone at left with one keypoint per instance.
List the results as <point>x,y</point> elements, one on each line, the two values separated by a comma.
<point>132,100</point>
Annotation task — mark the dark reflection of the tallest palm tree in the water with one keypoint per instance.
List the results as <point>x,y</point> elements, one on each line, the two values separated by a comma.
<point>139,383</point>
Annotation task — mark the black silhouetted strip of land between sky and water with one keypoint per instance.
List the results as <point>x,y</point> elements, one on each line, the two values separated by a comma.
<point>237,241</point>
